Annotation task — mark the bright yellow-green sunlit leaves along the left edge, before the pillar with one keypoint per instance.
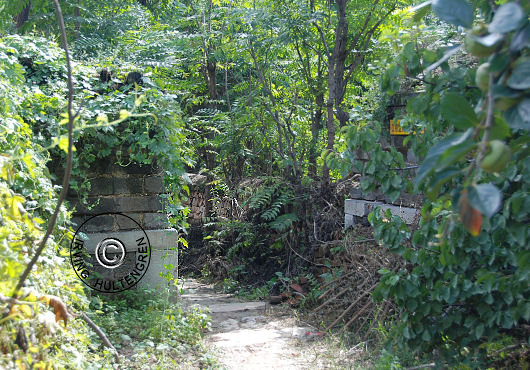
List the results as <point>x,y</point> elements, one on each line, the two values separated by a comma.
<point>27,198</point>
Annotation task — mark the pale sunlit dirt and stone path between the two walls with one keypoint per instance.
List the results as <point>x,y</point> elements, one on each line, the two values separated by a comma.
<point>256,335</point>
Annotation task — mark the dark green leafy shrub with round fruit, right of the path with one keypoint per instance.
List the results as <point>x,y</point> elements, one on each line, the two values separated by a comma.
<point>467,263</point>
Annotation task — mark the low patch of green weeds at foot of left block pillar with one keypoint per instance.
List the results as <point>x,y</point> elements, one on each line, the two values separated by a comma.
<point>150,331</point>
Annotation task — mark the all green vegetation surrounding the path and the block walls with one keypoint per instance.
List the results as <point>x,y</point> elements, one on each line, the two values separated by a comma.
<point>283,106</point>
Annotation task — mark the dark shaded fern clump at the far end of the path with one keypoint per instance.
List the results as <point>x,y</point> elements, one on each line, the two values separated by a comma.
<point>256,243</point>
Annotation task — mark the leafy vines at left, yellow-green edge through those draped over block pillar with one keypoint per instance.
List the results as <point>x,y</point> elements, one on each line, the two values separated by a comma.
<point>32,99</point>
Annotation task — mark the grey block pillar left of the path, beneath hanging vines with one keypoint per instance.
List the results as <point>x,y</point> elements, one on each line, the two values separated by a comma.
<point>136,191</point>
